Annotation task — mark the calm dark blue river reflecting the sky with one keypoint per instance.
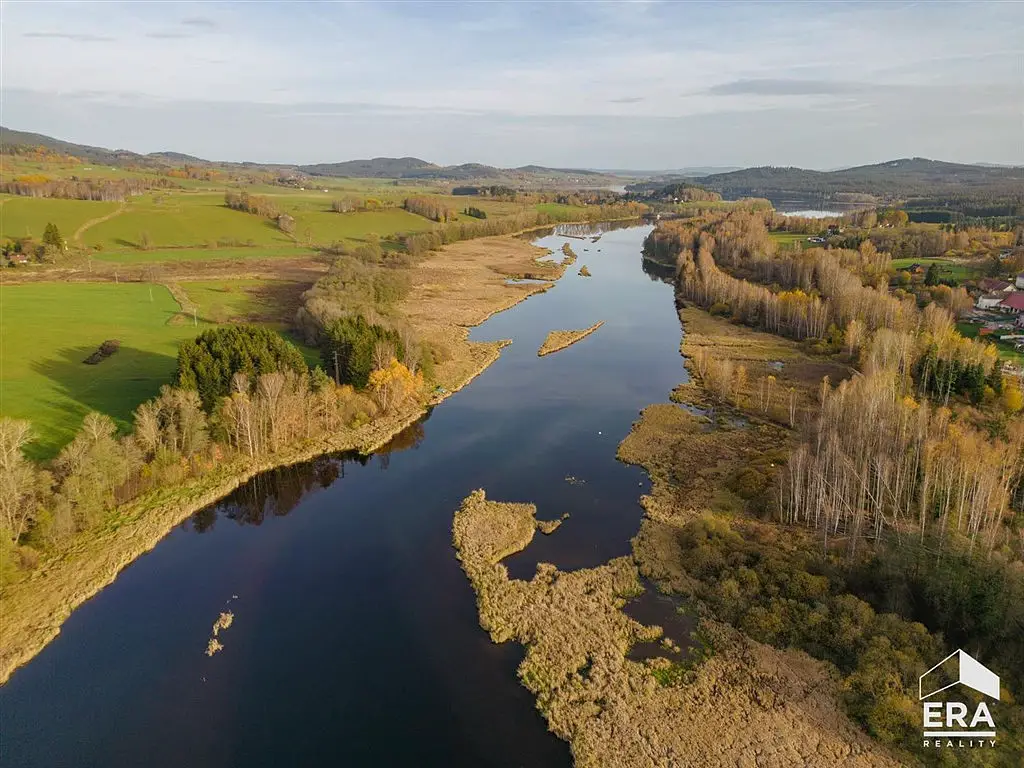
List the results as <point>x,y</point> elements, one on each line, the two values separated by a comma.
<point>356,639</point>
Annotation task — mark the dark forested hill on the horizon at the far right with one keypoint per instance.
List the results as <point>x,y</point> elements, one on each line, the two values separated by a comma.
<point>894,180</point>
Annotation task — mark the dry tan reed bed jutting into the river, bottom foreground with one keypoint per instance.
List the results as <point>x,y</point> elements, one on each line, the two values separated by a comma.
<point>748,705</point>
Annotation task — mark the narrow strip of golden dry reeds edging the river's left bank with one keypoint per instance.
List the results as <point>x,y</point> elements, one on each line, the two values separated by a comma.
<point>34,610</point>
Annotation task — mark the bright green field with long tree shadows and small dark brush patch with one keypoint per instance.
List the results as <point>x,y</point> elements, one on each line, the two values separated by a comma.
<point>48,331</point>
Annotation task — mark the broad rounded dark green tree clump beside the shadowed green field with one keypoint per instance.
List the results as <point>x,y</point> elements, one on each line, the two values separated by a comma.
<point>208,363</point>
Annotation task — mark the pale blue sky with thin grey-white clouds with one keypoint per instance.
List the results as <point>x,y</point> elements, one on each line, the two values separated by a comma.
<point>643,86</point>
